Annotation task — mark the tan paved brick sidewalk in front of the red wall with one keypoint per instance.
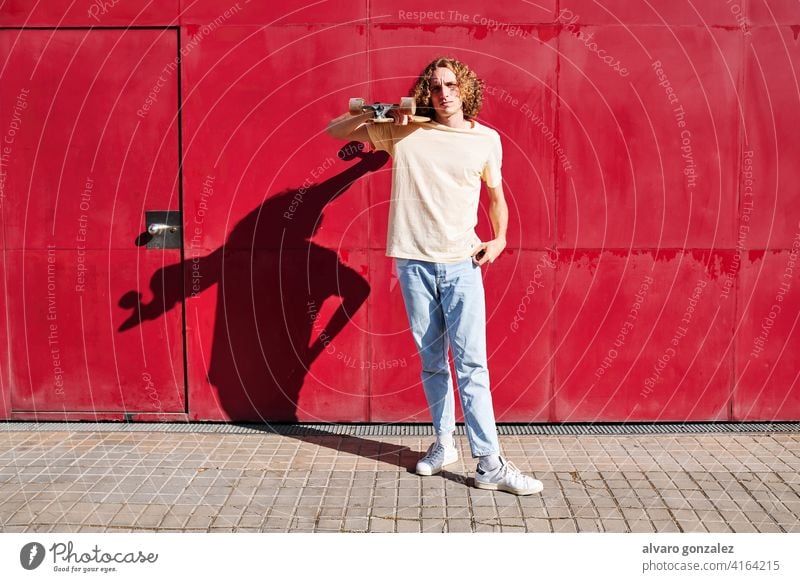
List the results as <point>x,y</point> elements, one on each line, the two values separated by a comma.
<point>192,481</point>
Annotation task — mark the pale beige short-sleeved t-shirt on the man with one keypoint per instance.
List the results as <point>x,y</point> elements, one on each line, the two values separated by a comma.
<point>436,183</point>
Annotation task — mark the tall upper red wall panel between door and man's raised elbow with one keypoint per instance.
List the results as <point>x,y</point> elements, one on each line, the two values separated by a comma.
<point>256,103</point>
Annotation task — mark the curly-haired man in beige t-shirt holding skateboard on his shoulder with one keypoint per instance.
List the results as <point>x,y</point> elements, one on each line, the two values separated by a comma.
<point>437,169</point>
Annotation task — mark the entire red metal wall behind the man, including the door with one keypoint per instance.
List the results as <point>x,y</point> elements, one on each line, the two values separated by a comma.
<point>650,167</point>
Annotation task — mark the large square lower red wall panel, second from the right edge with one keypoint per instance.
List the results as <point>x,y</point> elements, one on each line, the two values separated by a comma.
<point>642,336</point>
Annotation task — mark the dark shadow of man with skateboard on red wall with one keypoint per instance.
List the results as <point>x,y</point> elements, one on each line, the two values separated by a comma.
<point>272,281</point>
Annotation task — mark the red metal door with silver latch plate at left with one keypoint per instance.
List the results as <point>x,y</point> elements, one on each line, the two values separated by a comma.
<point>91,143</point>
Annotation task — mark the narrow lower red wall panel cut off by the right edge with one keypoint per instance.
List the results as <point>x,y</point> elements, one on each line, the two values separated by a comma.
<point>768,336</point>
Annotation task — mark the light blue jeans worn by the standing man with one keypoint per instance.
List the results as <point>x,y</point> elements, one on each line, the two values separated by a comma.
<point>446,309</point>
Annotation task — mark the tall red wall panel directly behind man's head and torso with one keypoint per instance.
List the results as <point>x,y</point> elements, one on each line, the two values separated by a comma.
<point>519,102</point>
